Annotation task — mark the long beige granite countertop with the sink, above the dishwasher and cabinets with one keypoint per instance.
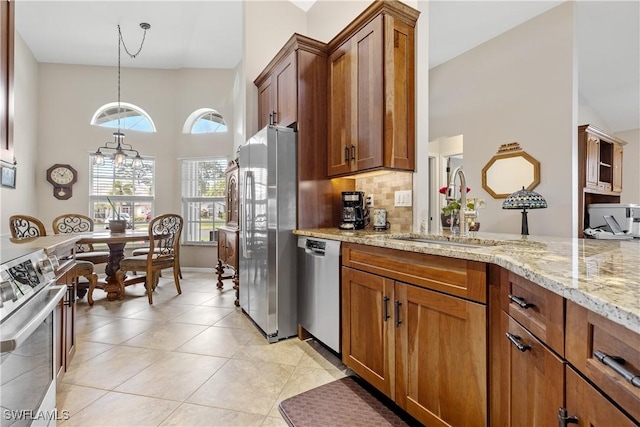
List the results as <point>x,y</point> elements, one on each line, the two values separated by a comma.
<point>601,275</point>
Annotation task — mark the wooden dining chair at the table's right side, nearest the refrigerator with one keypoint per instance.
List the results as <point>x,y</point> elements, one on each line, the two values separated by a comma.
<point>164,239</point>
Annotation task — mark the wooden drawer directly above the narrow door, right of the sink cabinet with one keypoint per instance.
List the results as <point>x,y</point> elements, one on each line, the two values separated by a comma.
<point>537,309</point>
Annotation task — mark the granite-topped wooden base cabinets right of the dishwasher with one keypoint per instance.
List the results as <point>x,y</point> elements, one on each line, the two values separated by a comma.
<point>538,330</point>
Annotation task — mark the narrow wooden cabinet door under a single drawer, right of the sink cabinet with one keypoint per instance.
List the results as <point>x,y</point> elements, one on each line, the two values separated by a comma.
<point>536,379</point>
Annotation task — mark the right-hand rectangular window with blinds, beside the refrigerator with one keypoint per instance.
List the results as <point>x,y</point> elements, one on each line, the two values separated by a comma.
<point>203,199</point>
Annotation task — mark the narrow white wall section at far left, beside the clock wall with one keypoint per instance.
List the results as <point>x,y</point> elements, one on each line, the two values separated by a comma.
<point>25,136</point>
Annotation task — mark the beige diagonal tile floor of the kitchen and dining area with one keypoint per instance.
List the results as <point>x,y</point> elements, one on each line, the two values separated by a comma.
<point>187,360</point>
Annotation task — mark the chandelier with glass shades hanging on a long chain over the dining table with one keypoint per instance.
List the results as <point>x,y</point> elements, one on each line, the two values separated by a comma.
<point>118,149</point>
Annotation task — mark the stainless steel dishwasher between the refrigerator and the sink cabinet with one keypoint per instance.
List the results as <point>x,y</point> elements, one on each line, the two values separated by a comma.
<point>319,289</point>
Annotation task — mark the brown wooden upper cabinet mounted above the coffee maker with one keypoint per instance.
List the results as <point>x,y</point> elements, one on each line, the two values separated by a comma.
<point>371,106</point>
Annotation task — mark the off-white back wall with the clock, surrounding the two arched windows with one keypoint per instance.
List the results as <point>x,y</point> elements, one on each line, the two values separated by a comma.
<point>68,95</point>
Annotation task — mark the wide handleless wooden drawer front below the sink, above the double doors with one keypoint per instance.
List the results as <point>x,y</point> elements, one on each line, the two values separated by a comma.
<point>458,277</point>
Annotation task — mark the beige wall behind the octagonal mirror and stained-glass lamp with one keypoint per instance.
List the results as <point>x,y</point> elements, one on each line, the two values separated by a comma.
<point>517,87</point>
